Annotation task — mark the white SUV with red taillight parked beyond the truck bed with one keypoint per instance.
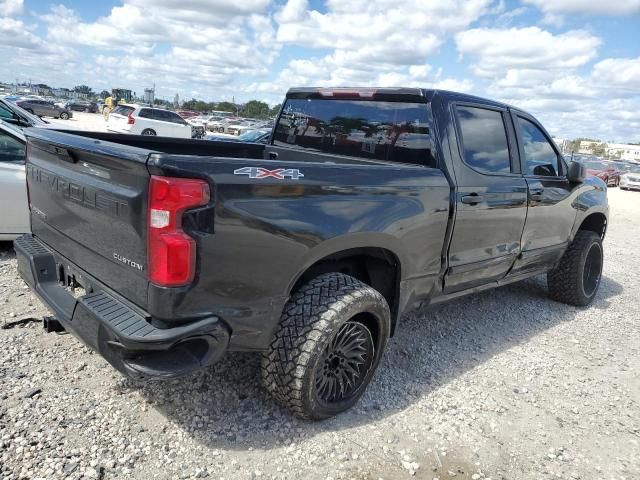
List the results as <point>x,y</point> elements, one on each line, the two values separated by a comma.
<point>141,120</point>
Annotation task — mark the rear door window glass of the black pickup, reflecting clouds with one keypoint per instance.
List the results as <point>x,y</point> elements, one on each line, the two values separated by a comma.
<point>484,139</point>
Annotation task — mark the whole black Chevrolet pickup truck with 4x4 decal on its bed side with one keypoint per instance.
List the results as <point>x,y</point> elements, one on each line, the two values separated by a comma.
<point>162,254</point>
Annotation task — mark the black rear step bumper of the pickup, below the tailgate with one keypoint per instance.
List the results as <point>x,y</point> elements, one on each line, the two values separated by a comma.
<point>113,327</point>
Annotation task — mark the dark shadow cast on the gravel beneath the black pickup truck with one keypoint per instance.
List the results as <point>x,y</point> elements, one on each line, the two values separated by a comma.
<point>225,407</point>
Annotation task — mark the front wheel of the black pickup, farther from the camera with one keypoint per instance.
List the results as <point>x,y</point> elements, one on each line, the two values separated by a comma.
<point>576,279</point>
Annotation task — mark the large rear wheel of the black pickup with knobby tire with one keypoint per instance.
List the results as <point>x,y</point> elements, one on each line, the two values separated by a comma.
<point>328,344</point>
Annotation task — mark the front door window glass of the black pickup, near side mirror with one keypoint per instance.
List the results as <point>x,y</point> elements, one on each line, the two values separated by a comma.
<point>541,159</point>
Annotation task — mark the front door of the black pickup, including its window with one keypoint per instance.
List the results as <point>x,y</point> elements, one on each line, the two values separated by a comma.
<point>550,216</point>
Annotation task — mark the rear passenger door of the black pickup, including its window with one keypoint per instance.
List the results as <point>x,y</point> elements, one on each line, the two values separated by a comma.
<point>491,198</point>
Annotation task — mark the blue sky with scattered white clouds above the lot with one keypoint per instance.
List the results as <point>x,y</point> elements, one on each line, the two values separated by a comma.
<point>574,64</point>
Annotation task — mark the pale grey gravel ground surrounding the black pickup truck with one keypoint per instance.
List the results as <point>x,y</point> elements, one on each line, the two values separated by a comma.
<point>504,385</point>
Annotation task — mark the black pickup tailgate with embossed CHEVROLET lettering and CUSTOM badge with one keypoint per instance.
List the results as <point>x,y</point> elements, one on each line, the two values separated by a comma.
<point>88,202</point>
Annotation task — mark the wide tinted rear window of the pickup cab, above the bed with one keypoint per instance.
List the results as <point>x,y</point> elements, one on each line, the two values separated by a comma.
<point>371,129</point>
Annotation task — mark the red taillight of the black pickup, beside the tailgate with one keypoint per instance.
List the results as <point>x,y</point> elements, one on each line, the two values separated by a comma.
<point>171,253</point>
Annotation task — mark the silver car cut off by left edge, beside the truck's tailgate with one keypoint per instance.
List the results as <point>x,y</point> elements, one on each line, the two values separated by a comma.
<point>14,208</point>
